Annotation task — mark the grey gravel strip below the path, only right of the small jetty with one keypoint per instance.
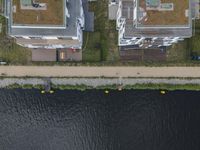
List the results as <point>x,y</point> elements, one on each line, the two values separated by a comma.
<point>125,81</point>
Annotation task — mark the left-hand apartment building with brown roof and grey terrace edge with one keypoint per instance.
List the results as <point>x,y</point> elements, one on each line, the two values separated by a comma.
<point>46,24</point>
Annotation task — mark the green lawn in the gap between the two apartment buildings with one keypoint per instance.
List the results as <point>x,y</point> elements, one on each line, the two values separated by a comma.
<point>101,45</point>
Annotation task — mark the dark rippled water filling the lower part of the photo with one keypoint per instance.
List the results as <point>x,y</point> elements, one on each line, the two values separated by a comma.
<point>91,120</point>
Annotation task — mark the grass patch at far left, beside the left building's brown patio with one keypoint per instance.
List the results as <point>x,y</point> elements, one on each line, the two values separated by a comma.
<point>10,51</point>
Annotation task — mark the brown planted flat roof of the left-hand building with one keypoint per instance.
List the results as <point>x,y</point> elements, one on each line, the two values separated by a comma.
<point>38,12</point>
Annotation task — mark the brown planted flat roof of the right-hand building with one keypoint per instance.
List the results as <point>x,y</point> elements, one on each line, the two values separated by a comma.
<point>163,13</point>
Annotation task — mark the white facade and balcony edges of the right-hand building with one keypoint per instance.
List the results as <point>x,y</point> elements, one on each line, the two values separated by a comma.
<point>143,40</point>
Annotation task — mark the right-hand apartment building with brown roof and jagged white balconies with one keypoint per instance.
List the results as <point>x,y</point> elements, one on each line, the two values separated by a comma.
<point>153,23</point>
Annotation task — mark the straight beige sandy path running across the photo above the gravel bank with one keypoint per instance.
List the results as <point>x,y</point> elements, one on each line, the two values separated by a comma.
<point>66,71</point>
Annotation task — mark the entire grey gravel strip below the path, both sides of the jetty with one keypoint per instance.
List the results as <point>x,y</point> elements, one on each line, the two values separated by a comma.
<point>94,82</point>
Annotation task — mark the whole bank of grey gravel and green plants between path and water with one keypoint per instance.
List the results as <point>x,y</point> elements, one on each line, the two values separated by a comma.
<point>103,83</point>
